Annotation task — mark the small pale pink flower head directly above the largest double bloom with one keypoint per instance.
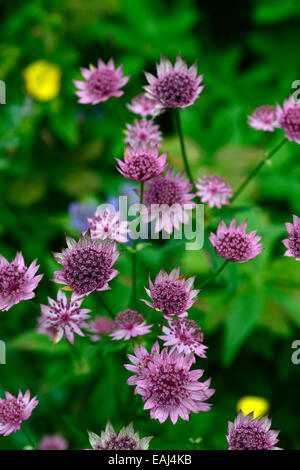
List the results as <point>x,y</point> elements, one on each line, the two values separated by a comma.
<point>185,336</point>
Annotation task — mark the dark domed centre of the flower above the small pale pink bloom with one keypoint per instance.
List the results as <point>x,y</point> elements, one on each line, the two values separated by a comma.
<point>170,297</point>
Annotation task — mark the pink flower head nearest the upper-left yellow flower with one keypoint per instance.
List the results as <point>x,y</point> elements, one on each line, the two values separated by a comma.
<point>101,83</point>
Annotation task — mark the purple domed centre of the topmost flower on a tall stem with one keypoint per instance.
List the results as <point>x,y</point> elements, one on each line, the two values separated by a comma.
<point>175,89</point>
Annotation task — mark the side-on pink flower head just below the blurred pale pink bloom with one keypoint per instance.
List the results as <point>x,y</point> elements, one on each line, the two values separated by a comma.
<point>142,165</point>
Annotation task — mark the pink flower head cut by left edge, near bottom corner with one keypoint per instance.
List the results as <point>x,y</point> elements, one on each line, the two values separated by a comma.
<point>15,410</point>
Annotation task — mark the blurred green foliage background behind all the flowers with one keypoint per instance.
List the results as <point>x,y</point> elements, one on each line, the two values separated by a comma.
<point>58,152</point>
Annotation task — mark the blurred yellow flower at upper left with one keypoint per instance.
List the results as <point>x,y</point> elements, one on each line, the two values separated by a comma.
<point>42,80</point>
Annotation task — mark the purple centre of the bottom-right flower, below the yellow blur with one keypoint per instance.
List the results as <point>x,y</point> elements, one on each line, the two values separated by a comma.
<point>249,437</point>
